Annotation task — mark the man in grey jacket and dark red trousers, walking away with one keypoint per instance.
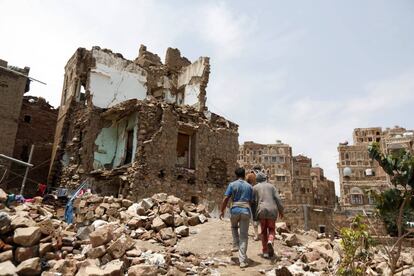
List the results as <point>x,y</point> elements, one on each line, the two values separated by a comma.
<point>267,207</point>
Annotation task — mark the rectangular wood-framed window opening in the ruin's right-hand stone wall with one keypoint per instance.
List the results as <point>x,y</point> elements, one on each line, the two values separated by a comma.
<point>186,150</point>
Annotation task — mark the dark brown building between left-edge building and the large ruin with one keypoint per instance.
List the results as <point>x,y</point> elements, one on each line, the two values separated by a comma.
<point>36,127</point>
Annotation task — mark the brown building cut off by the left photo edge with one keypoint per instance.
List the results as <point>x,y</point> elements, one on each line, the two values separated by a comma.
<point>13,84</point>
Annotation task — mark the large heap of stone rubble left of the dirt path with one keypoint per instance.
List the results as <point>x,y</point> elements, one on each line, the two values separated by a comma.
<point>102,240</point>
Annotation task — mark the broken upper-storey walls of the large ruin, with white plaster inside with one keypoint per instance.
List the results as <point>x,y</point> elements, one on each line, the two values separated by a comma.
<point>99,78</point>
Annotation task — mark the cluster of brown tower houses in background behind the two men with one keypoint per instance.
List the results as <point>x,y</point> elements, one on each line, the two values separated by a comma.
<point>294,177</point>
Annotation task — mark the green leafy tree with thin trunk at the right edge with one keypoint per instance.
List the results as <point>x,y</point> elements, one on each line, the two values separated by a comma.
<point>400,168</point>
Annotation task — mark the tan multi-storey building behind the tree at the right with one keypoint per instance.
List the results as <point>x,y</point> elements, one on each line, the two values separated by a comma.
<point>359,174</point>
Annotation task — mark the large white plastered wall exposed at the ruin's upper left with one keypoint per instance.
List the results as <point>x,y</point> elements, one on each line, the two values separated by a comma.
<point>115,80</point>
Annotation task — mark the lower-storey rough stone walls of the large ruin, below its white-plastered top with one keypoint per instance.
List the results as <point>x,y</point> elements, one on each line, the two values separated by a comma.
<point>154,168</point>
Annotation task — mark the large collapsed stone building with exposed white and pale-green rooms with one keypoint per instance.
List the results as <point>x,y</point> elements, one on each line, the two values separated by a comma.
<point>135,128</point>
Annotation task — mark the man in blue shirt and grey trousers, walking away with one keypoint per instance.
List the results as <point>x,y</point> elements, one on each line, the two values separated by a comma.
<point>241,194</point>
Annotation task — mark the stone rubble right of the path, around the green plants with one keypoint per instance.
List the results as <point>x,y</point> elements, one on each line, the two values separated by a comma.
<point>311,253</point>
